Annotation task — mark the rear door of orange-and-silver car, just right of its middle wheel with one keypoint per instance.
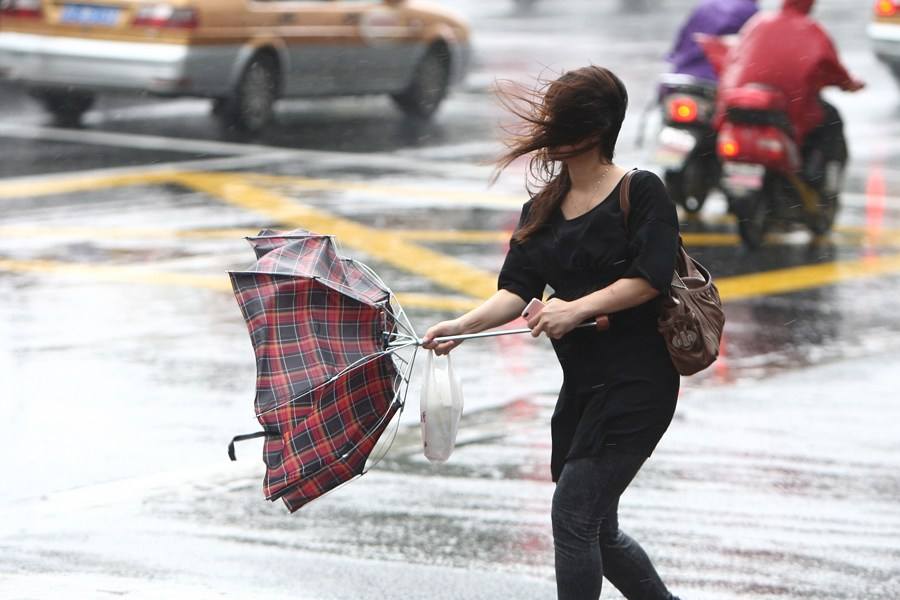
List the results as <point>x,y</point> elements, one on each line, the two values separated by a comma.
<point>315,39</point>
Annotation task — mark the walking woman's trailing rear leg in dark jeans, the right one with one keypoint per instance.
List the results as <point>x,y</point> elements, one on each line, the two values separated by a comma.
<point>626,565</point>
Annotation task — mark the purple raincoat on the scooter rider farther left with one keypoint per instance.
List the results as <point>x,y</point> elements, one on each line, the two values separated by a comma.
<point>713,17</point>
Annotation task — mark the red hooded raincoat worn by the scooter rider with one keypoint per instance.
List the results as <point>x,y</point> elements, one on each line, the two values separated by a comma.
<point>791,52</point>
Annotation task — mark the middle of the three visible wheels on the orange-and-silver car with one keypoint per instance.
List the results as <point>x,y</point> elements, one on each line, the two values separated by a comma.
<point>251,106</point>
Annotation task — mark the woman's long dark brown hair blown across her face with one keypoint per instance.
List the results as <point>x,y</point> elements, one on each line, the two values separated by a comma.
<point>583,109</point>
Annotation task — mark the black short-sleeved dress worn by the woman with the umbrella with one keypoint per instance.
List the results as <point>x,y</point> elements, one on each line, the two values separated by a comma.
<point>619,386</point>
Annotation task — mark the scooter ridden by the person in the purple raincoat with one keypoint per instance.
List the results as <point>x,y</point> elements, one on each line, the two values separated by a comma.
<point>686,145</point>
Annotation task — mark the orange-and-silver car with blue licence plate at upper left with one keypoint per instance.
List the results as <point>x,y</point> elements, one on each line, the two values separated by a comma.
<point>243,54</point>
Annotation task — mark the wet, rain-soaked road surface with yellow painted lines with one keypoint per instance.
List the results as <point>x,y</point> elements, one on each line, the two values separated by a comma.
<point>125,367</point>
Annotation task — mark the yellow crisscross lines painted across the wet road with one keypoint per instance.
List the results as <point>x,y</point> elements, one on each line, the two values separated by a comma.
<point>389,247</point>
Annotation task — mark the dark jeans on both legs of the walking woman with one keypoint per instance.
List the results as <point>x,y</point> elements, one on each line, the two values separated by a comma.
<point>586,535</point>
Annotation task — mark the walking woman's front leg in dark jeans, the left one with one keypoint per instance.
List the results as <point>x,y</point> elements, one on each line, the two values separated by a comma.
<point>587,489</point>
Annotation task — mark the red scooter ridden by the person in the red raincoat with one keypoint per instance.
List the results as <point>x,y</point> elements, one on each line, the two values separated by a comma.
<point>763,170</point>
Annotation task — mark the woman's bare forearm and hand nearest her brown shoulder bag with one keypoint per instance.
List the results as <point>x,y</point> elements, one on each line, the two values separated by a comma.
<point>559,317</point>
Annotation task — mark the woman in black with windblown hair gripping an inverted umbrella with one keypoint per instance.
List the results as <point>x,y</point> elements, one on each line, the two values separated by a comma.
<point>620,387</point>
